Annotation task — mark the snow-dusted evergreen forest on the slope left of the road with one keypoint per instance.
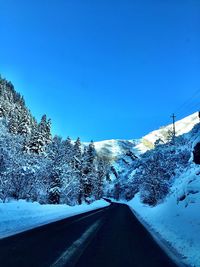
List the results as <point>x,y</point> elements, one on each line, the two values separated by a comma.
<point>38,167</point>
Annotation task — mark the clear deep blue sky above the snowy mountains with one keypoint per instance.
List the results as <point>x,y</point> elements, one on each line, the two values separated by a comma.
<point>102,69</point>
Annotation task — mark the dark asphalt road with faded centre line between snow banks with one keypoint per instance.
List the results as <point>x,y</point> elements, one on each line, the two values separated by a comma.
<point>110,236</point>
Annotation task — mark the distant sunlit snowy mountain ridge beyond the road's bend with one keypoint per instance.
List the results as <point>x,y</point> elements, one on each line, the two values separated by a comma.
<point>123,153</point>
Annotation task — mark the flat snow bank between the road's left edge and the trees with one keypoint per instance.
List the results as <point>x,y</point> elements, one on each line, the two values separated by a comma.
<point>18,216</point>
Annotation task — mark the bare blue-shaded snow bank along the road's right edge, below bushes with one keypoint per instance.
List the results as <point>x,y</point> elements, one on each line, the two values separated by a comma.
<point>177,220</point>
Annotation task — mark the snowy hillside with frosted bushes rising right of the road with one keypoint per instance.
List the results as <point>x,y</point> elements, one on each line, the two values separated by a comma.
<point>165,186</point>
